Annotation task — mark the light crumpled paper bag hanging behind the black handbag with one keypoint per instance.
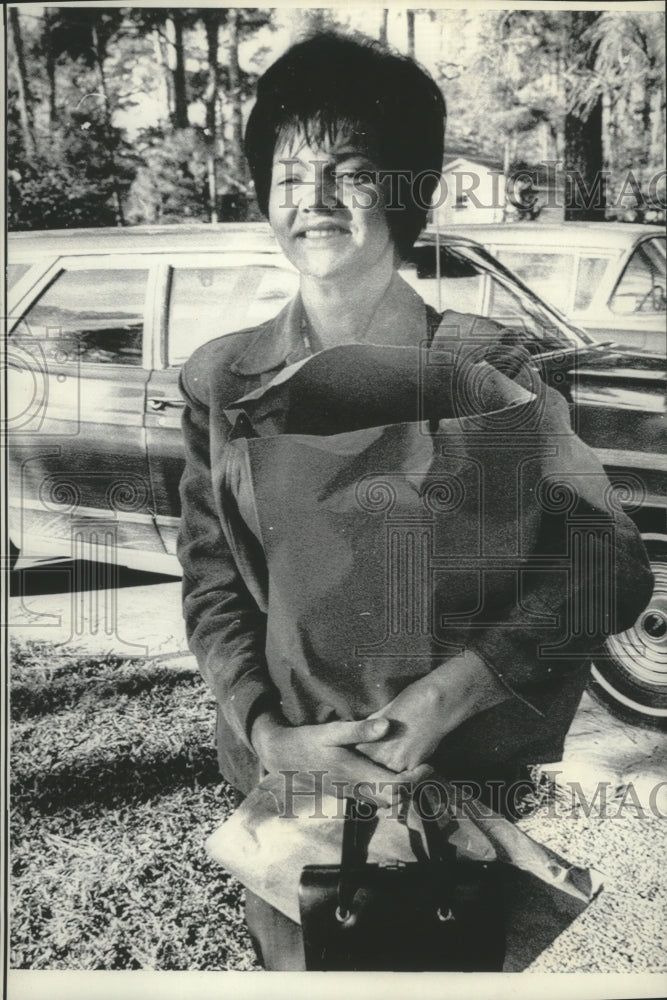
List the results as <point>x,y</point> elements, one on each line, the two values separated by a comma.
<point>271,837</point>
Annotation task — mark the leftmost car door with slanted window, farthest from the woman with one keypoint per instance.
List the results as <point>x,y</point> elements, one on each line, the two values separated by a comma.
<point>78,369</point>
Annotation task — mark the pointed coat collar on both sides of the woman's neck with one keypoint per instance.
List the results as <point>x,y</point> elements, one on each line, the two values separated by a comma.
<point>400,320</point>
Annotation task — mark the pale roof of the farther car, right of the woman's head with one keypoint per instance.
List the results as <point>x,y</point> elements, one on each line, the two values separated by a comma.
<point>611,235</point>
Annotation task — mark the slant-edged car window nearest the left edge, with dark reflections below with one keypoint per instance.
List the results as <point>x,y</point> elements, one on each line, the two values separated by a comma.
<point>101,311</point>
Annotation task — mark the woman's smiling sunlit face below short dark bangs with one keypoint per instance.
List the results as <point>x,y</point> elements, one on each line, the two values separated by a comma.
<point>326,210</point>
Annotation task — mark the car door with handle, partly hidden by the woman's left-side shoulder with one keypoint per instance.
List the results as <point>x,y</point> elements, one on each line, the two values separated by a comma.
<point>204,296</point>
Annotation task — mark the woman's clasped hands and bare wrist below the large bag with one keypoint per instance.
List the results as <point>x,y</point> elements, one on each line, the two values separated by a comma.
<point>392,746</point>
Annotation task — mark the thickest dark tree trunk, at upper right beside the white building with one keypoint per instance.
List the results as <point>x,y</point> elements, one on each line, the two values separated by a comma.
<point>585,185</point>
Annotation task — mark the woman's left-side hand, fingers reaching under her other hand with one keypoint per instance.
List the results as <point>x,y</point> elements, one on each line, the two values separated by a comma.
<point>329,747</point>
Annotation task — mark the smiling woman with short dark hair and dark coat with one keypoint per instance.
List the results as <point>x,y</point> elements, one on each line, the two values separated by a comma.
<point>345,145</point>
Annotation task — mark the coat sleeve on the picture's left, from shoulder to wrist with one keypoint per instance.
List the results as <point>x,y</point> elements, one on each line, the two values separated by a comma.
<point>224,626</point>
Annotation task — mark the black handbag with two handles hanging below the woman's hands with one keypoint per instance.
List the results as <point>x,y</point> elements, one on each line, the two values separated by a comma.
<point>438,914</point>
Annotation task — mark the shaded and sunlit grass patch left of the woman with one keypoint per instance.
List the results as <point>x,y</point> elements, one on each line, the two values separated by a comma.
<point>114,788</point>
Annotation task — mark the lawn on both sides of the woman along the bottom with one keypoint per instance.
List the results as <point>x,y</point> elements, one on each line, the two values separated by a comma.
<point>115,787</point>
